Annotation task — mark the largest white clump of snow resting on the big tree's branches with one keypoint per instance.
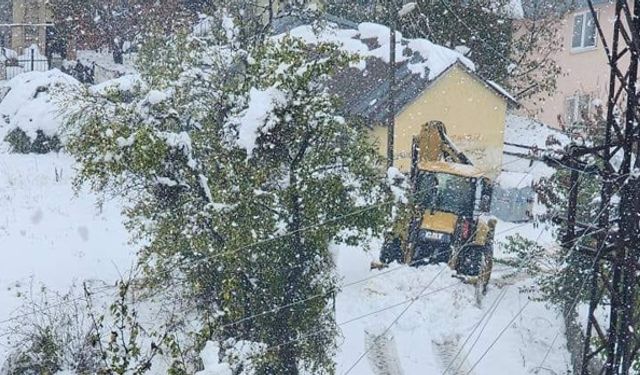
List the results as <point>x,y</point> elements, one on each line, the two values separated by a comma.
<point>257,118</point>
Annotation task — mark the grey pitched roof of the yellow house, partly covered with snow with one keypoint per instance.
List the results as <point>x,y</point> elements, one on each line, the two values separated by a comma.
<point>364,87</point>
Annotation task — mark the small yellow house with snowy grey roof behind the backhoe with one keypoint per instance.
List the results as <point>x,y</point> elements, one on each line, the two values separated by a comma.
<point>432,83</point>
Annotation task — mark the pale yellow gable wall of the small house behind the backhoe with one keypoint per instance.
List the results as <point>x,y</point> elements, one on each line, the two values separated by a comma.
<point>473,114</point>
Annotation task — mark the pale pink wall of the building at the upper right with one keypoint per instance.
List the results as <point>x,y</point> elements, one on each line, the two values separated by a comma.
<point>585,71</point>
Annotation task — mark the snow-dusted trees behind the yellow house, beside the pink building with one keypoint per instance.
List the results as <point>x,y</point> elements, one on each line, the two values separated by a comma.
<point>518,54</point>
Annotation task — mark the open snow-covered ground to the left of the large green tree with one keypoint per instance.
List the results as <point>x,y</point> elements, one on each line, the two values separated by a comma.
<point>51,237</point>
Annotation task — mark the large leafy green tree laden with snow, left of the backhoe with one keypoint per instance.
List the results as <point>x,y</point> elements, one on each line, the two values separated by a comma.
<point>241,174</point>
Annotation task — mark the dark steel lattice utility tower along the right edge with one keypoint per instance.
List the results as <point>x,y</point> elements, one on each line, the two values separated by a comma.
<point>611,342</point>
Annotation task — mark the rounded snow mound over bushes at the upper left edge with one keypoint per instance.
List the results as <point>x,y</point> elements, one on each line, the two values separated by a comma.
<point>29,102</point>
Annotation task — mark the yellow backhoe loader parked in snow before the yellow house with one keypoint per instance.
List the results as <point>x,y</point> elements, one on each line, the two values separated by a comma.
<point>446,218</point>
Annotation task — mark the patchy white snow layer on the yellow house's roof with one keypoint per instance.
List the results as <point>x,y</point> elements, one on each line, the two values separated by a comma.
<point>372,40</point>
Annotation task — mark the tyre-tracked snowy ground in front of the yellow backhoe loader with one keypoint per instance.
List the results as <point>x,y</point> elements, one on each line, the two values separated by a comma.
<point>438,324</point>
